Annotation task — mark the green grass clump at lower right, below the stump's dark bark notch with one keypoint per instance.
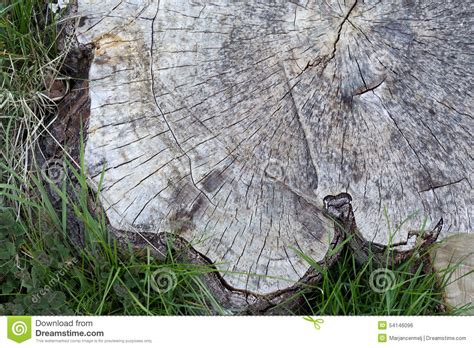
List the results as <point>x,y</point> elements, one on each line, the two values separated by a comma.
<point>369,288</point>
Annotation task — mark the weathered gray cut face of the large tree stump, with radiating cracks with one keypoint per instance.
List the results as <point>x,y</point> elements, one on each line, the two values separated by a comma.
<point>229,122</point>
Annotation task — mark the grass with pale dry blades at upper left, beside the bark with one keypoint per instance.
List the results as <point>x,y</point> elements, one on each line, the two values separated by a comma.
<point>29,62</point>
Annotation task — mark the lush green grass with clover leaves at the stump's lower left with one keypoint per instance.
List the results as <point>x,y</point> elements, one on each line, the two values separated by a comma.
<point>44,273</point>
